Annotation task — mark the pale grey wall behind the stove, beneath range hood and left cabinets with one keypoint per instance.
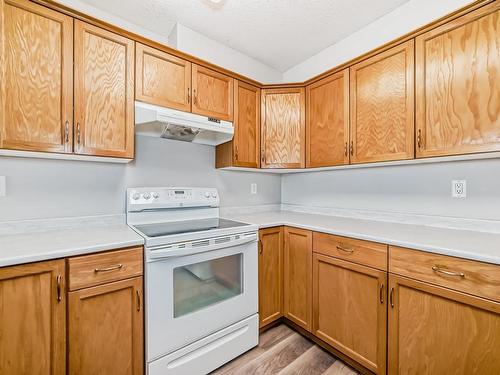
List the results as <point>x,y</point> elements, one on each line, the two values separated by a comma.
<point>39,188</point>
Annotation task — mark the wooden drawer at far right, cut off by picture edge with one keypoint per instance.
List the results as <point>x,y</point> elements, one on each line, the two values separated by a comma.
<point>477,278</point>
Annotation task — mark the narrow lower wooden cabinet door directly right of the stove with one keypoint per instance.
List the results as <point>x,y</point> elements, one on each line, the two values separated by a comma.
<point>270,275</point>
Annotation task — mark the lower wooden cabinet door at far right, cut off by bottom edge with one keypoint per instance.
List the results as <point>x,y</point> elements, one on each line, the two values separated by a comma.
<point>433,330</point>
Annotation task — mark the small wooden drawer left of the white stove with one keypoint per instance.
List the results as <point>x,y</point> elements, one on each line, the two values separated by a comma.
<point>95,269</point>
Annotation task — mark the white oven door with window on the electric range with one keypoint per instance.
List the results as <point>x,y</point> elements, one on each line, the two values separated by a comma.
<point>189,297</point>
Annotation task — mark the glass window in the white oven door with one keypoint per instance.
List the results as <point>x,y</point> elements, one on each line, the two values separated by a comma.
<point>199,285</point>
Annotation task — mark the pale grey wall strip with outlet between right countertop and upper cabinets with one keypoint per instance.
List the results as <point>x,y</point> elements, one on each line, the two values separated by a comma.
<point>420,189</point>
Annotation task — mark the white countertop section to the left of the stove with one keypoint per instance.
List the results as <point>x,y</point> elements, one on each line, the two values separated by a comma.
<point>52,244</point>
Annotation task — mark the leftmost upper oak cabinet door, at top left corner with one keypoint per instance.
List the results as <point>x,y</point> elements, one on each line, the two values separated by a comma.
<point>36,112</point>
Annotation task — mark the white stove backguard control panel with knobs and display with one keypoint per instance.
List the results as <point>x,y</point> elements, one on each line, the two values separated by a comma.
<point>139,199</point>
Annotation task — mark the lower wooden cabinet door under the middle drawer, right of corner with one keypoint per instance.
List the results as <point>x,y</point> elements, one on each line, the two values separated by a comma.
<point>350,311</point>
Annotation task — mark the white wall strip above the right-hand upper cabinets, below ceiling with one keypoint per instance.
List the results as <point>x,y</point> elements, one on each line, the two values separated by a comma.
<point>402,20</point>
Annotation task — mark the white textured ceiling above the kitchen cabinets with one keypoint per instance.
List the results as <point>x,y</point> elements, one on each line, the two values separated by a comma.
<point>279,33</point>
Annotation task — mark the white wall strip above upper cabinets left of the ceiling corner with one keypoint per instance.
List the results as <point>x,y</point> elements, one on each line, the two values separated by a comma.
<point>196,44</point>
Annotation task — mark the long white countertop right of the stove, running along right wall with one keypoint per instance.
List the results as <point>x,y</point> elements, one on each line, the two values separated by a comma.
<point>481,246</point>
